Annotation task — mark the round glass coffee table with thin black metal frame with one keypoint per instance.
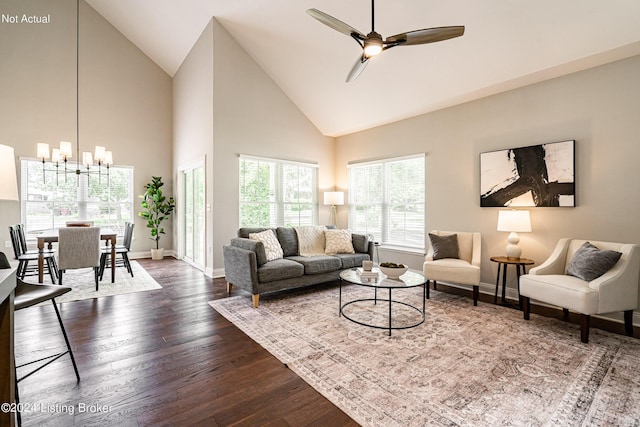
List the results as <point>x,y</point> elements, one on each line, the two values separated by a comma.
<point>409,279</point>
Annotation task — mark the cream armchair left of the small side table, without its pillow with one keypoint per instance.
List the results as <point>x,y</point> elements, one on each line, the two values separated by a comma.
<point>465,270</point>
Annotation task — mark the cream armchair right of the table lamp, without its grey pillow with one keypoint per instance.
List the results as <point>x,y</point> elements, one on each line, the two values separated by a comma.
<point>615,290</point>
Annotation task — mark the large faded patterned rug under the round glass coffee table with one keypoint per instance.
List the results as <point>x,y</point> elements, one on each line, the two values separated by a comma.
<point>464,366</point>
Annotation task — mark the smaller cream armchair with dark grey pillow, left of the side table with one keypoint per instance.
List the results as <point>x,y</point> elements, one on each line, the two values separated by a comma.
<point>454,257</point>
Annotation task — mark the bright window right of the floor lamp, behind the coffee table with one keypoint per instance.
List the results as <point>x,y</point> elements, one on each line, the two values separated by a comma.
<point>386,199</point>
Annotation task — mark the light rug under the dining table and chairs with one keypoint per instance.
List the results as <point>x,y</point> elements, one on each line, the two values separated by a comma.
<point>83,285</point>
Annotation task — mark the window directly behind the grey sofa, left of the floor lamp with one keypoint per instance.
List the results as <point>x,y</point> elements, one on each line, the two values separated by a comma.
<point>277,192</point>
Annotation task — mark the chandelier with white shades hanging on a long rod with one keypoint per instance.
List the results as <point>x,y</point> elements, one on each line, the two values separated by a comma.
<point>61,156</point>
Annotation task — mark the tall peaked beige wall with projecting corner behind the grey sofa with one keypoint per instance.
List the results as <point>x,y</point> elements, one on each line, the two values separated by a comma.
<point>250,115</point>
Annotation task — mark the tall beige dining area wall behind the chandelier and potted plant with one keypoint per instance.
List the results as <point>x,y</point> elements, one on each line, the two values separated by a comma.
<point>125,99</point>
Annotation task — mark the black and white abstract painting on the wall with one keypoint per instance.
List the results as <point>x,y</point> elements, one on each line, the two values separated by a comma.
<point>538,175</point>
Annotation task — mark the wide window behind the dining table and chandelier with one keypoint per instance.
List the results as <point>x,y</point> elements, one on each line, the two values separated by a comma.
<point>50,201</point>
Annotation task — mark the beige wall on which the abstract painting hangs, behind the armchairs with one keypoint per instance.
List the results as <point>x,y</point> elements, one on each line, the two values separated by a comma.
<point>599,108</point>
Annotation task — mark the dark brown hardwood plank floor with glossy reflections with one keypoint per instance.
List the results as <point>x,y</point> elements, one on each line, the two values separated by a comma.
<point>161,357</point>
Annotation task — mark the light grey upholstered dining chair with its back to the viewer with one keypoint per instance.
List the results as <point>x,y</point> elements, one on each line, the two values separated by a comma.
<point>78,247</point>
